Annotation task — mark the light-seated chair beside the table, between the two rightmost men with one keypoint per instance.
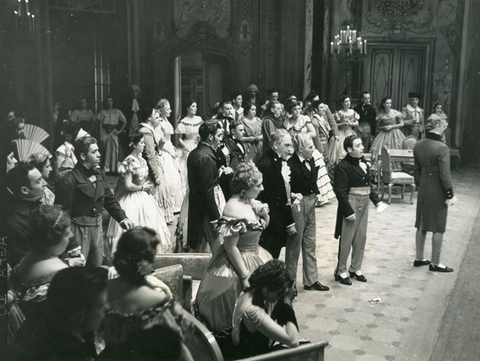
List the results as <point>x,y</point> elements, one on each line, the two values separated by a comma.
<point>389,177</point>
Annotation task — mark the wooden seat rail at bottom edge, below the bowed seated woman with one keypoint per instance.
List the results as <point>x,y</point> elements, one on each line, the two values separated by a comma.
<point>314,351</point>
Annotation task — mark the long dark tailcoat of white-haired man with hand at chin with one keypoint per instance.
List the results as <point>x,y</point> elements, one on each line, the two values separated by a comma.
<point>275,195</point>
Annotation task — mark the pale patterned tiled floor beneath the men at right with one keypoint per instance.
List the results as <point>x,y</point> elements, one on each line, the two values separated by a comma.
<point>403,326</point>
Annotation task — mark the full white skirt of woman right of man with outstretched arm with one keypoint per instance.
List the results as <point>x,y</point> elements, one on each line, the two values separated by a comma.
<point>142,209</point>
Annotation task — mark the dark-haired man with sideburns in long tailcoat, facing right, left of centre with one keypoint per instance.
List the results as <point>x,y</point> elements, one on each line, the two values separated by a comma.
<point>206,197</point>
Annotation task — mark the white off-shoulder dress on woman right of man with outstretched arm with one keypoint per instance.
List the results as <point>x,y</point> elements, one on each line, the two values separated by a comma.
<point>140,207</point>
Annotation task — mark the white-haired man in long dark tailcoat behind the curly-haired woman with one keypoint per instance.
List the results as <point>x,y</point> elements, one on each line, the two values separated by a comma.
<point>276,193</point>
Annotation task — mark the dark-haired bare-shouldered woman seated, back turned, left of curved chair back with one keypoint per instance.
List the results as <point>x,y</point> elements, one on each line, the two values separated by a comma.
<point>136,299</point>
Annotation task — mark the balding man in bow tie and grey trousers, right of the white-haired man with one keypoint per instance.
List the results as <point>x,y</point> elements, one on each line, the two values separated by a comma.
<point>304,190</point>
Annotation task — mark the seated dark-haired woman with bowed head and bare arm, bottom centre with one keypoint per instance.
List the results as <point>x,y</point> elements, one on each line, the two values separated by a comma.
<point>253,328</point>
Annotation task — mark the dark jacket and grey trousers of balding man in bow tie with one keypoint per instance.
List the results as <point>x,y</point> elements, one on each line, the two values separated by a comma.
<point>304,181</point>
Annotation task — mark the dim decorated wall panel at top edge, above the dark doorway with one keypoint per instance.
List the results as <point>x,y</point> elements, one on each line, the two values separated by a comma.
<point>217,13</point>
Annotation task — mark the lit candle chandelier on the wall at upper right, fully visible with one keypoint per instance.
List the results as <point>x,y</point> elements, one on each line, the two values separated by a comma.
<point>347,47</point>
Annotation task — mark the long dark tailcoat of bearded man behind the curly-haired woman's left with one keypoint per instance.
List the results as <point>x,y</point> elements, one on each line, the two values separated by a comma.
<point>203,182</point>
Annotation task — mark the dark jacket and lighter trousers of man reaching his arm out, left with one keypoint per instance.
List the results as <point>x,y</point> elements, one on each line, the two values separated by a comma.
<point>85,201</point>
